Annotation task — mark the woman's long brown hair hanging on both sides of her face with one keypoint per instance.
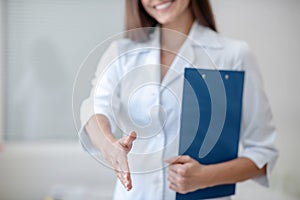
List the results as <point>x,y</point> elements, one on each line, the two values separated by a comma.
<point>137,17</point>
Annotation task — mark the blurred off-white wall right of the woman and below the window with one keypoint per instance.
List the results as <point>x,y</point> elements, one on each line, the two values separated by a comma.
<point>272,29</point>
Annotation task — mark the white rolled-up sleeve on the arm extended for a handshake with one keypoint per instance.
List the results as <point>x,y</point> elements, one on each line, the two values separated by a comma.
<point>104,86</point>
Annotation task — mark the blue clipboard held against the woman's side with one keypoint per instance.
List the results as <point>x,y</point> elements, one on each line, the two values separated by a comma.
<point>210,122</point>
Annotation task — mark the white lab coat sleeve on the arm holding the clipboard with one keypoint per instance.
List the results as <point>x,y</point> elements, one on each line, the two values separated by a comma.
<point>257,130</point>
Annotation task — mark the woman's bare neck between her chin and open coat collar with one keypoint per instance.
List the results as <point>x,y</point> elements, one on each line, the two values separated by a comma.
<point>170,38</point>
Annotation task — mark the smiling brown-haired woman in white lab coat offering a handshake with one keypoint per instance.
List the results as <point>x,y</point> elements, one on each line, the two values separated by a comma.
<point>182,174</point>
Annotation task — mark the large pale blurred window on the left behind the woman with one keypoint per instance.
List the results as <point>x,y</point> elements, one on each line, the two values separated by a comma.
<point>45,42</point>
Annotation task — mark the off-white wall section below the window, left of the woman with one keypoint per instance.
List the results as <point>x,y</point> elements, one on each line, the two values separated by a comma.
<point>29,171</point>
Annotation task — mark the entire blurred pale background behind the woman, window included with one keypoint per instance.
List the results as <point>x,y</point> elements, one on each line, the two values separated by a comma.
<point>43,43</point>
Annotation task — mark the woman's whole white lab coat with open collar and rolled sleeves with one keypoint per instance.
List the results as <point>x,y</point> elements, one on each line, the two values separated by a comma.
<point>130,94</point>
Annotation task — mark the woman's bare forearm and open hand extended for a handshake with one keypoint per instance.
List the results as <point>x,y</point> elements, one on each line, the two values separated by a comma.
<point>114,151</point>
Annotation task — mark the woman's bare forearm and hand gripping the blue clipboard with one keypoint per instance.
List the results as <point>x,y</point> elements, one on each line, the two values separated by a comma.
<point>186,174</point>
